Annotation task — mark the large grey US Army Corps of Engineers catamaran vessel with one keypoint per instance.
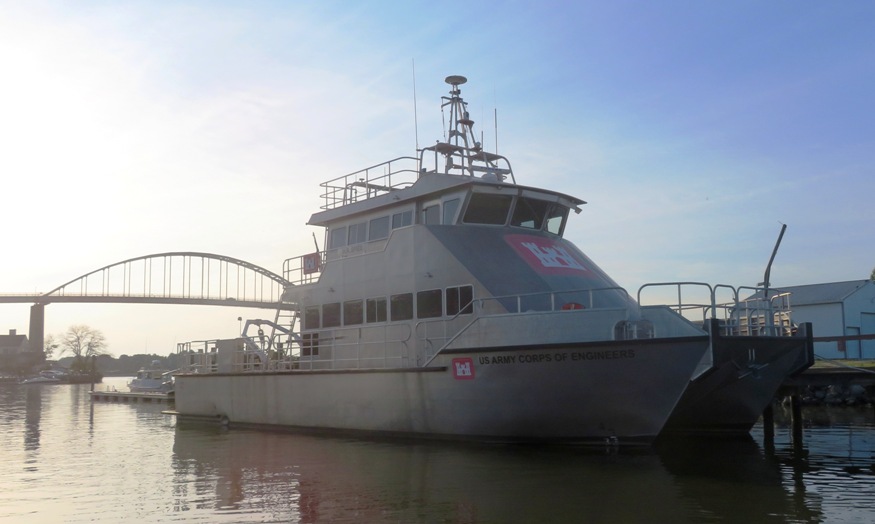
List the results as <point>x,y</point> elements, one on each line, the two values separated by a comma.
<point>447,303</point>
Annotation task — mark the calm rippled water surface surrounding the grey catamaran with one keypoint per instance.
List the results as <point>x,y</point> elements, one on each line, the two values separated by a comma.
<point>63,459</point>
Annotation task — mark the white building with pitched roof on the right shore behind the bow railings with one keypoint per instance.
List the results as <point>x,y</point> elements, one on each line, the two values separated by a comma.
<point>837,309</point>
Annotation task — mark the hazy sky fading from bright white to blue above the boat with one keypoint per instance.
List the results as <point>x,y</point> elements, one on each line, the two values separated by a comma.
<point>694,129</point>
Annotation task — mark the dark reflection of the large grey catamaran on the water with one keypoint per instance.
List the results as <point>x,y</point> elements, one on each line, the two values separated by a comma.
<point>323,479</point>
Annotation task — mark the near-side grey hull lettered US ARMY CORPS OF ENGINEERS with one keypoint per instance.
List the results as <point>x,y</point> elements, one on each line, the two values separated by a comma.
<point>619,392</point>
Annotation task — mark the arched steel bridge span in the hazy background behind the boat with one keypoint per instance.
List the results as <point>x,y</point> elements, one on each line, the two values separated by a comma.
<point>184,277</point>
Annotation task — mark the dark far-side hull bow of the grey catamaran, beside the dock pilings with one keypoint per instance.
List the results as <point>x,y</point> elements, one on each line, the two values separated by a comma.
<point>746,376</point>
